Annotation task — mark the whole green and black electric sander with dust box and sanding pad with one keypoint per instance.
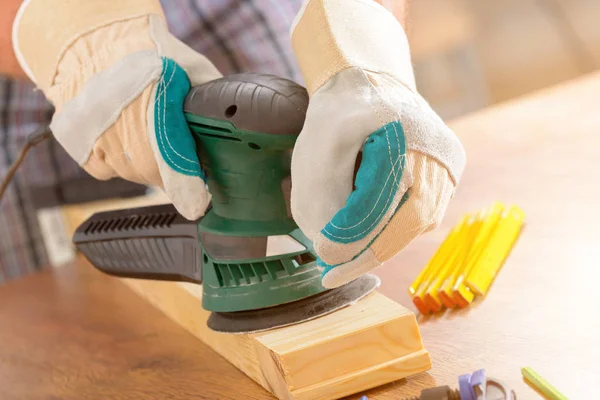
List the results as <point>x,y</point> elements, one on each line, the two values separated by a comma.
<point>244,127</point>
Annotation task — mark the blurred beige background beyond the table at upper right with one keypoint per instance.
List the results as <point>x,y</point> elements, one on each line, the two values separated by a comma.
<point>470,54</point>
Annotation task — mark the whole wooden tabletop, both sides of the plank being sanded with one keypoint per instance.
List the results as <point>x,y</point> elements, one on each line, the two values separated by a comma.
<point>73,333</point>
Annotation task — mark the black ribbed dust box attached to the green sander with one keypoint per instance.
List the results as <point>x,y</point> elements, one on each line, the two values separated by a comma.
<point>149,243</point>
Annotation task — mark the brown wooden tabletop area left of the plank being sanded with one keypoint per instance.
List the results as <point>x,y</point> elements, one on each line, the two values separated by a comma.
<point>76,334</point>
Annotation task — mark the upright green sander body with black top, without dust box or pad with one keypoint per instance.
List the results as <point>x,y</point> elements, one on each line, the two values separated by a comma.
<point>245,128</point>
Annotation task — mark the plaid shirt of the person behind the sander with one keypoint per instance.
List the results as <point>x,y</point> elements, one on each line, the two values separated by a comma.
<point>236,35</point>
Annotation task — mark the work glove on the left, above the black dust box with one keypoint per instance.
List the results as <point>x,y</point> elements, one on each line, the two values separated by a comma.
<point>117,79</point>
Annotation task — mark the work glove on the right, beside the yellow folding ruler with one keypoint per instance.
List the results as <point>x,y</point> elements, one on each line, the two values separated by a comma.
<point>355,61</point>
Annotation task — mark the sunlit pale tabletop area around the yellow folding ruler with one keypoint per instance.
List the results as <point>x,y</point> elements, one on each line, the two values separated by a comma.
<point>541,152</point>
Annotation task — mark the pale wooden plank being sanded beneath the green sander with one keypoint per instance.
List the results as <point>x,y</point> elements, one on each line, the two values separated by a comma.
<point>373,342</point>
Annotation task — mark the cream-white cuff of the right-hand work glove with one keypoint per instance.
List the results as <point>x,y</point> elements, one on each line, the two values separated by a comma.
<point>328,37</point>
